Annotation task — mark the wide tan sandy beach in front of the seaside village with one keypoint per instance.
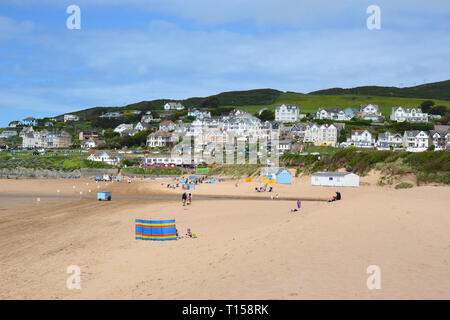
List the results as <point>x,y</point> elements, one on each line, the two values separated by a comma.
<point>246,249</point>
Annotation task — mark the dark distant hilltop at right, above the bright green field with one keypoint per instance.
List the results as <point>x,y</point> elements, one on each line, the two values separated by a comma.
<point>436,90</point>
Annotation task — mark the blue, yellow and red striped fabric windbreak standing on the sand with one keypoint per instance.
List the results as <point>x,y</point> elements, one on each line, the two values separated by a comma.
<point>157,230</point>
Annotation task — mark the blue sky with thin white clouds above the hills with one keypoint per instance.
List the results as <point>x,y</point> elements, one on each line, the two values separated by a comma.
<point>129,51</point>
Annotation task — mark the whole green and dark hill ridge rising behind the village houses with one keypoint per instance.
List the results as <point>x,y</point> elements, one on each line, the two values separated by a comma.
<point>254,100</point>
